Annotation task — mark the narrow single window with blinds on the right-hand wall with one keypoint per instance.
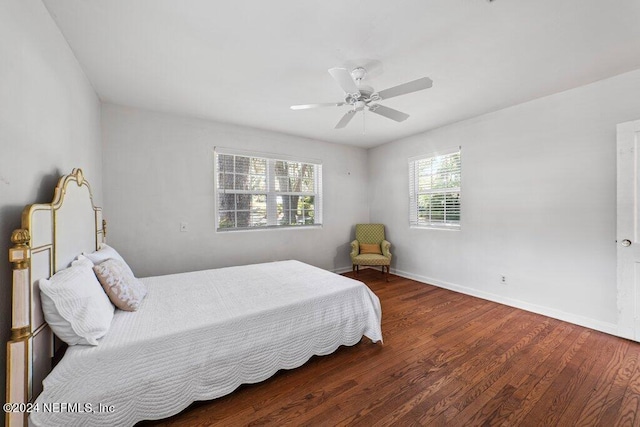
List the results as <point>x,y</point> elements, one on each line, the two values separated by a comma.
<point>434,190</point>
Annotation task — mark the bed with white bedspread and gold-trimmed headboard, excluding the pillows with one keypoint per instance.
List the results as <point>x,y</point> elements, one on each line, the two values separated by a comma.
<point>195,336</point>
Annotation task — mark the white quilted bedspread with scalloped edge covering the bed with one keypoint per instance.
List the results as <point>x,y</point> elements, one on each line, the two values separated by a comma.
<point>199,335</point>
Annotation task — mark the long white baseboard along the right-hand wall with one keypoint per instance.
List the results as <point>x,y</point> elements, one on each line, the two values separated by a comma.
<point>609,328</point>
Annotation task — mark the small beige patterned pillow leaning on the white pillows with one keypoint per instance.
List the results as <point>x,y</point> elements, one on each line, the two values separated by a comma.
<point>124,290</point>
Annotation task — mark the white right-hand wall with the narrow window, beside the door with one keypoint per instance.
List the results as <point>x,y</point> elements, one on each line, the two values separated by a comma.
<point>538,200</point>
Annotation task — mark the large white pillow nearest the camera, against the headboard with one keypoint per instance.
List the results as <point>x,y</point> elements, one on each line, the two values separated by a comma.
<point>75,305</point>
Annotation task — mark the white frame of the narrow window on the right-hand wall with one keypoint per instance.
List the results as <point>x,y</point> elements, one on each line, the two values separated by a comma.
<point>414,192</point>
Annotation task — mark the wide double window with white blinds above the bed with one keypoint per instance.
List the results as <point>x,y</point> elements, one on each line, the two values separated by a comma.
<point>256,191</point>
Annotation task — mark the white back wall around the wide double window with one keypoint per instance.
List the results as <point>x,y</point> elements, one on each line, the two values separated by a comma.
<point>158,172</point>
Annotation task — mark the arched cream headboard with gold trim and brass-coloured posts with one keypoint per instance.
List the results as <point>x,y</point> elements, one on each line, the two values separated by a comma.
<point>52,235</point>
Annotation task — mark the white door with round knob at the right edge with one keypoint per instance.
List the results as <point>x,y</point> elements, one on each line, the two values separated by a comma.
<point>627,237</point>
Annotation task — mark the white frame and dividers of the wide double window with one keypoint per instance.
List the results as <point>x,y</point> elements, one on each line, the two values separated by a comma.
<point>270,192</point>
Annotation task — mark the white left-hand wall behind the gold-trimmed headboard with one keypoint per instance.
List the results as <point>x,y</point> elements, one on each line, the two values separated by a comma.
<point>49,124</point>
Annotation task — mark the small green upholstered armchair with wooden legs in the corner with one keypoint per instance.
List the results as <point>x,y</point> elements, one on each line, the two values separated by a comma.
<point>370,248</point>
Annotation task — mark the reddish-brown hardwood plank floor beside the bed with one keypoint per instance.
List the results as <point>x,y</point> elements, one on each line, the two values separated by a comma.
<point>447,359</point>
